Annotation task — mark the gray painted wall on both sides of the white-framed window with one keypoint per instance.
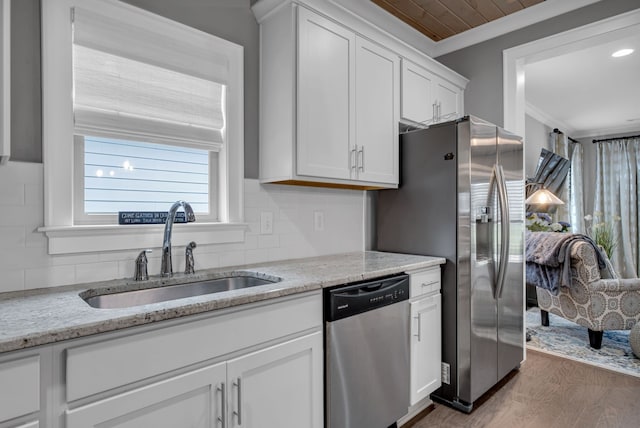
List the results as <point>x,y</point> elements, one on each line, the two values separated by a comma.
<point>229,19</point>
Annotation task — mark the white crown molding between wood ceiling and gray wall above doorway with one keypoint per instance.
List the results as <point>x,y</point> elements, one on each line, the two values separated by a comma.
<point>515,21</point>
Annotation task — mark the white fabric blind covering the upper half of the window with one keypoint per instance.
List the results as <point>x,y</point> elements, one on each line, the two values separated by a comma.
<point>142,81</point>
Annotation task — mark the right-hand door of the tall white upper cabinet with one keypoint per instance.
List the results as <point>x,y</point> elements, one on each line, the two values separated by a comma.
<point>377,104</point>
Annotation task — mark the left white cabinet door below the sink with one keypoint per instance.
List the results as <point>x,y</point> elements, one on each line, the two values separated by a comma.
<point>188,400</point>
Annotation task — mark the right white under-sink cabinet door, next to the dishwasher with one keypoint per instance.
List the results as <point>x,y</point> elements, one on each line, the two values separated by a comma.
<point>280,386</point>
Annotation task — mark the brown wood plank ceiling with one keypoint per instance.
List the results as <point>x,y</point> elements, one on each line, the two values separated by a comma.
<point>439,19</point>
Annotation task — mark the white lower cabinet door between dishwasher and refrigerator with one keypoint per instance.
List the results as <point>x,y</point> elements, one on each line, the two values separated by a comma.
<point>426,345</point>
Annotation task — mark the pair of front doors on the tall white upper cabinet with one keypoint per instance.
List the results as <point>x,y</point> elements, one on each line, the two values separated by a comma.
<point>348,102</point>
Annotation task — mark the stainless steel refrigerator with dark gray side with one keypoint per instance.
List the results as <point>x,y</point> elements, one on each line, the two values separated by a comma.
<point>461,197</point>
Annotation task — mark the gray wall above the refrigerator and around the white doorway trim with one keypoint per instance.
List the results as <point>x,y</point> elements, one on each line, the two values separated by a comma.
<point>482,63</point>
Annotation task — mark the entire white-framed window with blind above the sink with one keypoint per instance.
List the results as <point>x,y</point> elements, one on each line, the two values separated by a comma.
<point>156,115</point>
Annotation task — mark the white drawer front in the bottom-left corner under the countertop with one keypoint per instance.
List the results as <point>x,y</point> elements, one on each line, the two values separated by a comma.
<point>19,387</point>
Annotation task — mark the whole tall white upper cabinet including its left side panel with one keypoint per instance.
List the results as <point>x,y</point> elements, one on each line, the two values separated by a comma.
<point>329,103</point>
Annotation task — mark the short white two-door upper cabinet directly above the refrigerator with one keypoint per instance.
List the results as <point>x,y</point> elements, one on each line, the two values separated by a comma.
<point>428,98</point>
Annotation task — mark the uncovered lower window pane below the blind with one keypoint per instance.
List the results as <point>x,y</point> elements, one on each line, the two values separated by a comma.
<point>122,175</point>
